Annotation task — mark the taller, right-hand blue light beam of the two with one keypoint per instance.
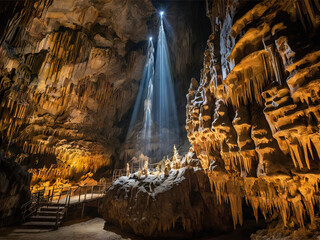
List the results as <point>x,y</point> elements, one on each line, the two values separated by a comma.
<point>164,105</point>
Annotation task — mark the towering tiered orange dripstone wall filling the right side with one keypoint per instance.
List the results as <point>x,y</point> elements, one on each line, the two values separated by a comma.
<point>254,118</point>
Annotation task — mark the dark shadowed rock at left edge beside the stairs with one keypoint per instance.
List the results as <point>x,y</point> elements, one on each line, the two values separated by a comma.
<point>14,191</point>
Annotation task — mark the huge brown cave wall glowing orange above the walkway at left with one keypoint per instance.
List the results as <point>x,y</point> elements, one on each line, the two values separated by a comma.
<point>69,76</point>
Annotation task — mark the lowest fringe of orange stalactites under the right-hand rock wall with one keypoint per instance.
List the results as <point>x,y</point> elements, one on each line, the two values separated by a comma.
<point>290,196</point>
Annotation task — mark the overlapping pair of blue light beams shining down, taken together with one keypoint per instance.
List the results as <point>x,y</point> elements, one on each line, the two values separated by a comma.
<point>154,127</point>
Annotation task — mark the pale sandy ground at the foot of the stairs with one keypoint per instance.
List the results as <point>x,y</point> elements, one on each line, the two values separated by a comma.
<point>87,230</point>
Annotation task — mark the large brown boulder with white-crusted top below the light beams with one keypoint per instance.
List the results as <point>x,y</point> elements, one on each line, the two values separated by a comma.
<point>156,205</point>
